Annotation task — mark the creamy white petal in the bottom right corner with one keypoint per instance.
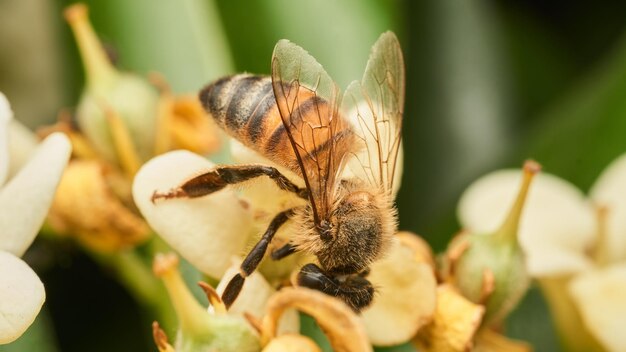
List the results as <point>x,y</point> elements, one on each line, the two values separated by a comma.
<point>601,299</point>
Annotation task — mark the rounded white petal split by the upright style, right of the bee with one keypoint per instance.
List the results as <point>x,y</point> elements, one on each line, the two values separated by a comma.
<point>556,214</point>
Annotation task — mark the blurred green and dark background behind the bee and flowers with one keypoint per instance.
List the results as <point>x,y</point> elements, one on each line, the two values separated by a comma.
<point>489,84</point>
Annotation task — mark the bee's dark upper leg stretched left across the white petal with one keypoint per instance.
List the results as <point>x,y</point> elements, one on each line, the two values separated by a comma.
<point>221,177</point>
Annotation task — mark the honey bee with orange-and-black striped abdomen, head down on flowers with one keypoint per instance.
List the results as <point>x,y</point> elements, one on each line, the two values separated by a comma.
<point>344,148</point>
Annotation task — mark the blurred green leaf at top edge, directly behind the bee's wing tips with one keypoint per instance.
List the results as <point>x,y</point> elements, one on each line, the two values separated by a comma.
<point>339,34</point>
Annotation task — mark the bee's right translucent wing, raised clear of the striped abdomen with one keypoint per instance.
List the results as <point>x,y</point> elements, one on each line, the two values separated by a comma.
<point>374,107</point>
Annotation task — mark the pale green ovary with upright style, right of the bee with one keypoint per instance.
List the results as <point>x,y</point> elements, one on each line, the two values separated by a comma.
<point>490,269</point>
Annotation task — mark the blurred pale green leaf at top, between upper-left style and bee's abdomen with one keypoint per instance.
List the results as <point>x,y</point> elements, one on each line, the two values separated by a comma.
<point>183,40</point>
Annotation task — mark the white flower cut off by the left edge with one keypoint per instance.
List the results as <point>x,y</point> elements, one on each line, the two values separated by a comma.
<point>24,202</point>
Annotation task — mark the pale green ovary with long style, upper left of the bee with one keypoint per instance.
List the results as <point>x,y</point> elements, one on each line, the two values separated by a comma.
<point>117,111</point>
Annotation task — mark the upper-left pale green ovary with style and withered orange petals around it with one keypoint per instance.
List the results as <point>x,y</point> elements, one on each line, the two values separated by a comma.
<point>121,121</point>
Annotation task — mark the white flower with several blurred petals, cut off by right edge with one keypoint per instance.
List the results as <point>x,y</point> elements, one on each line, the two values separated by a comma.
<point>578,255</point>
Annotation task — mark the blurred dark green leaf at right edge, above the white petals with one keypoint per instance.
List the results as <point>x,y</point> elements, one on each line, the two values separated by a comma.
<point>584,131</point>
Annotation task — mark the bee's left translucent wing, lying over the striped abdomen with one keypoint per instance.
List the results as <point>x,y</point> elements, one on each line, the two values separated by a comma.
<point>308,101</point>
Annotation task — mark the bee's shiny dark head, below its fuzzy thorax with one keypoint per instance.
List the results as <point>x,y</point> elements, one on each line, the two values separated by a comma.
<point>355,290</point>
